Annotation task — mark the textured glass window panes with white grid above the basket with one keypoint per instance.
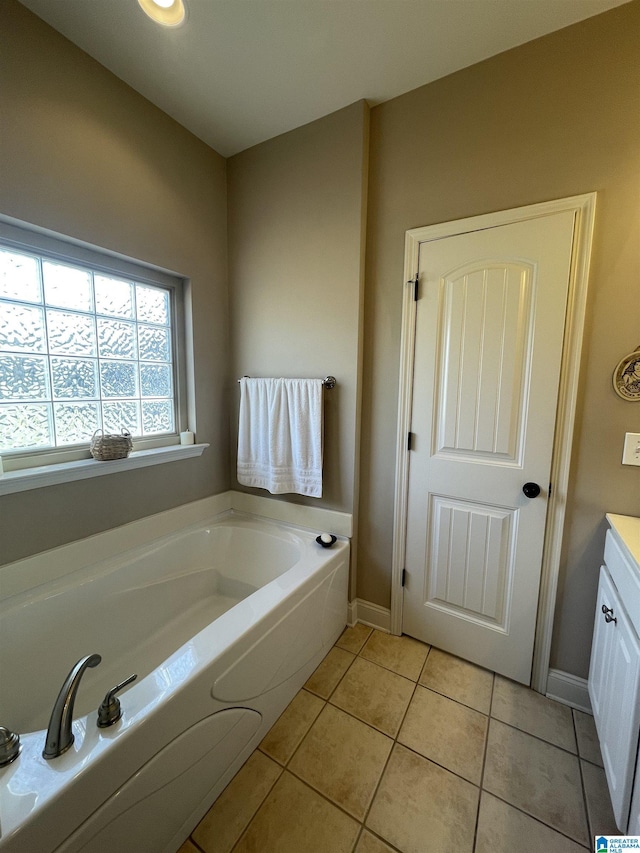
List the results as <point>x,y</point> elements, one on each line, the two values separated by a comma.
<point>81,350</point>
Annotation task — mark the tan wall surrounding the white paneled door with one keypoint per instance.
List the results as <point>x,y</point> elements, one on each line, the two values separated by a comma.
<point>553,118</point>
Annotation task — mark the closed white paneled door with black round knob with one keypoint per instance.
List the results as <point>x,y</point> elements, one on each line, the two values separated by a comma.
<point>489,333</point>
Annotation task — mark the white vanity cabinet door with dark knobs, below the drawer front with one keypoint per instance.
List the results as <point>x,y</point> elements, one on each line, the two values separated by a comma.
<point>614,687</point>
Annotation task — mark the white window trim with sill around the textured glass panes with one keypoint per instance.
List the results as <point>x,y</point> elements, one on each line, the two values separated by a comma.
<point>30,469</point>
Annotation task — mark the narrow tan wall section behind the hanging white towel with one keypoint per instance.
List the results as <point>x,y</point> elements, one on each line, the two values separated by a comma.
<point>296,224</point>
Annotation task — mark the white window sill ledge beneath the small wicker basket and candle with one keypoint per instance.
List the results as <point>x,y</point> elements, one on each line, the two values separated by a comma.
<point>66,472</point>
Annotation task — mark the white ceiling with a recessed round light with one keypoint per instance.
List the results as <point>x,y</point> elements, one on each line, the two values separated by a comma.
<point>238,72</point>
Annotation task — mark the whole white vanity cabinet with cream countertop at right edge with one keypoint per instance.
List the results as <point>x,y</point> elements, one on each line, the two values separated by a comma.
<point>614,674</point>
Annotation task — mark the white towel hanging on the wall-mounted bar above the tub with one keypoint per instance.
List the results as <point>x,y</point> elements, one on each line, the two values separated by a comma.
<point>280,435</point>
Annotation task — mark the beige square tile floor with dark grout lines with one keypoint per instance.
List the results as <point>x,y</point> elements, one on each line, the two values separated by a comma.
<point>395,746</point>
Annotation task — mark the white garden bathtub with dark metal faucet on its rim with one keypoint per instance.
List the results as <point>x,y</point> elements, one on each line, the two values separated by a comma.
<point>222,623</point>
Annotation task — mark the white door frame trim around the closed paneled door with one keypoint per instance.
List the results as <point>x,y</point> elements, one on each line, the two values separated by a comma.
<point>583,207</point>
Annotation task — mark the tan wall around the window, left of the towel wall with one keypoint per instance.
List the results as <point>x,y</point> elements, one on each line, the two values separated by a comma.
<point>84,155</point>
